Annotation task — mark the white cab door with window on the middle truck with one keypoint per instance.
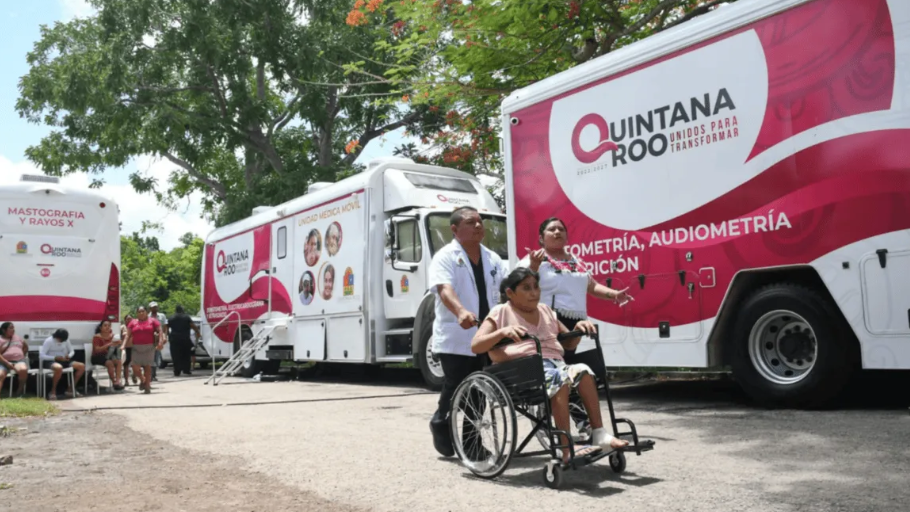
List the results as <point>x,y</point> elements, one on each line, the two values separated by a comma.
<point>404,270</point>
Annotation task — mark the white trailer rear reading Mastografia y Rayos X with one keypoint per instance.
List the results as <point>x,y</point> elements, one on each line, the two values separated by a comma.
<point>60,255</point>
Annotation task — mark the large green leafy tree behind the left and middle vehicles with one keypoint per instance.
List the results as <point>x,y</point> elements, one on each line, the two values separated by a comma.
<point>247,101</point>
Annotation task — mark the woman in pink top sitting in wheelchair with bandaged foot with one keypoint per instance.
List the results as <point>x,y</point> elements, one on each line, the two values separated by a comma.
<point>522,313</point>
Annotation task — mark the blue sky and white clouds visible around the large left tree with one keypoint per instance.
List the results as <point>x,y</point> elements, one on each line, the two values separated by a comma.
<point>20,23</point>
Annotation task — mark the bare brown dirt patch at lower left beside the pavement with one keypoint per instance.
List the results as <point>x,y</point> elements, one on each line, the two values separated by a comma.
<point>81,462</point>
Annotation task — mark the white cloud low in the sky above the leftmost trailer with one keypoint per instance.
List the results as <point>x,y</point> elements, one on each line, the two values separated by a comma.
<point>134,207</point>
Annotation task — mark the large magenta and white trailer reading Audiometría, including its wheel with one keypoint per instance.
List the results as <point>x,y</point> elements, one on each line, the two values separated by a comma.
<point>747,176</point>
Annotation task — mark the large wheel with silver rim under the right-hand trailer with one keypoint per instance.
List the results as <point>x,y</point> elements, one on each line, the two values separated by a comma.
<point>789,349</point>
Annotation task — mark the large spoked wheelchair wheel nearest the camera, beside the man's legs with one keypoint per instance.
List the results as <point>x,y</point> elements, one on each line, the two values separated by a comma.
<point>483,426</point>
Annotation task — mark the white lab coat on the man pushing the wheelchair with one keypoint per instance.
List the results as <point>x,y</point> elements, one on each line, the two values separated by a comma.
<point>452,266</point>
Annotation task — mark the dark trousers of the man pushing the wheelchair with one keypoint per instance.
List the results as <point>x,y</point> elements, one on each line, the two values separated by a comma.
<point>456,369</point>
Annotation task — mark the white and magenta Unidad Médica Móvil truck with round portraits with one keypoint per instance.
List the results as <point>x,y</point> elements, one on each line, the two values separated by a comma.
<point>340,273</point>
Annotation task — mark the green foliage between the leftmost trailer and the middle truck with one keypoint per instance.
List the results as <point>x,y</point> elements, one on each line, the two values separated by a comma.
<point>170,278</point>
